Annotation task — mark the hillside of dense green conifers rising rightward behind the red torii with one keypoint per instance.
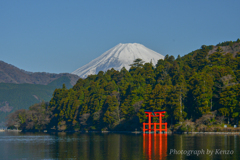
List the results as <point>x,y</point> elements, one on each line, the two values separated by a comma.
<point>188,88</point>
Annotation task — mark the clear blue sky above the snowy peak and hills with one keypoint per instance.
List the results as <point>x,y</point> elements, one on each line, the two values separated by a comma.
<point>59,36</point>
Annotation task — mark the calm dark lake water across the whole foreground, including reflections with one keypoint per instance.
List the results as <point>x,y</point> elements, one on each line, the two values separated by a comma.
<point>113,146</point>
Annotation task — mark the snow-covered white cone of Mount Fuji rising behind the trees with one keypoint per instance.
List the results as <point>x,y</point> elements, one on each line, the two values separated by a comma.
<point>122,55</point>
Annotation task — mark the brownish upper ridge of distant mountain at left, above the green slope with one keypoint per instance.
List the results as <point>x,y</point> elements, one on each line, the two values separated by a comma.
<point>12,74</point>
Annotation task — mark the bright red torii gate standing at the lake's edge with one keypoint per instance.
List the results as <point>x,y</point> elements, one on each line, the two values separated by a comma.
<point>151,114</point>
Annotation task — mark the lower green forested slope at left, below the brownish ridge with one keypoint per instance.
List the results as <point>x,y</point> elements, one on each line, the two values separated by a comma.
<point>22,96</point>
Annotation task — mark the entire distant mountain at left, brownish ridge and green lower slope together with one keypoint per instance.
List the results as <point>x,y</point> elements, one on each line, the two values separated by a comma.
<point>20,89</point>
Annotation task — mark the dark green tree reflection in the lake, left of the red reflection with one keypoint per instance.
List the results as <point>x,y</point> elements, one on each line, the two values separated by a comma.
<point>99,146</point>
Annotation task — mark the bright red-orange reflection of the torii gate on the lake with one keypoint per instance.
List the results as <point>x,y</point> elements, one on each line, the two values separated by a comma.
<point>155,146</point>
